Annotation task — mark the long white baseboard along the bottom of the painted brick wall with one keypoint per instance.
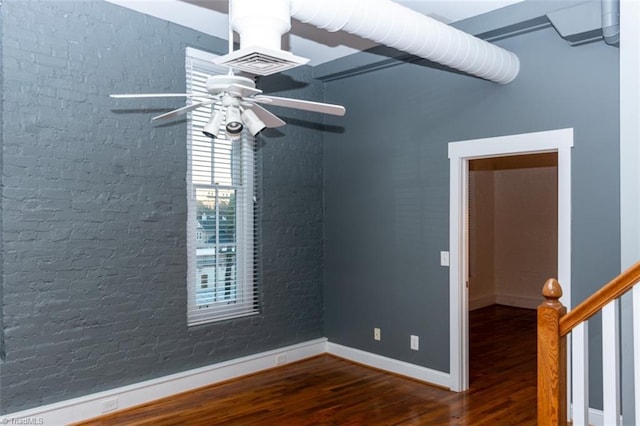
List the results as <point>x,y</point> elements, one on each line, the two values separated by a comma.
<point>89,406</point>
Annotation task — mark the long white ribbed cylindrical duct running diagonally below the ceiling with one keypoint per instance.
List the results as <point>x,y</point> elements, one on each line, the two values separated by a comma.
<point>393,25</point>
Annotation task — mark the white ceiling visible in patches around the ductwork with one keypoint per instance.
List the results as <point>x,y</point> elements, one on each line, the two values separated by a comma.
<point>210,17</point>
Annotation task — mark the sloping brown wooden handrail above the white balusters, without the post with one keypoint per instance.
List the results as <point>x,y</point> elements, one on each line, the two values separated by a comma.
<point>594,303</point>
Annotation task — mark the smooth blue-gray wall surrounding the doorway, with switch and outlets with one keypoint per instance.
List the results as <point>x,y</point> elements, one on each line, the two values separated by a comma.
<point>387,184</point>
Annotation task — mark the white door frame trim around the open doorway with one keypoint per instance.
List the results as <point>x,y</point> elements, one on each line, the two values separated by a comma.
<point>460,153</point>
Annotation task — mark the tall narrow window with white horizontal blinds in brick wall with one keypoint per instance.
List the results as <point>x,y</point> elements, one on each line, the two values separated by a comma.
<point>220,226</point>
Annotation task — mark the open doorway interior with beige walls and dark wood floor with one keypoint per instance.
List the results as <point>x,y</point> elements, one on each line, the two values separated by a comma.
<point>512,246</point>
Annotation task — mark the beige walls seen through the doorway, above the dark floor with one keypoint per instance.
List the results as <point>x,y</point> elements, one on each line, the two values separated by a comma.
<point>513,229</point>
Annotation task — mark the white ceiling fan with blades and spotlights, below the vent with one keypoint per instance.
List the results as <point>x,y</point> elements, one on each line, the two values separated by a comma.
<point>239,99</point>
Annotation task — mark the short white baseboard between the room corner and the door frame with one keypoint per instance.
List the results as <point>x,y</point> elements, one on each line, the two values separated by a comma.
<point>413,371</point>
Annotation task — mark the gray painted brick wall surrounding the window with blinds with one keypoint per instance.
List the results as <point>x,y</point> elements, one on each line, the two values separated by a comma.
<point>94,210</point>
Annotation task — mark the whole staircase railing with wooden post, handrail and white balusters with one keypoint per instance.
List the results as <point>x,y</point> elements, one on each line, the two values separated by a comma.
<point>554,324</point>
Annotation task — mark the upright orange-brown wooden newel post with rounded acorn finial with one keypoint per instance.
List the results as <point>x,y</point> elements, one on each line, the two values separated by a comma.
<point>552,358</point>
